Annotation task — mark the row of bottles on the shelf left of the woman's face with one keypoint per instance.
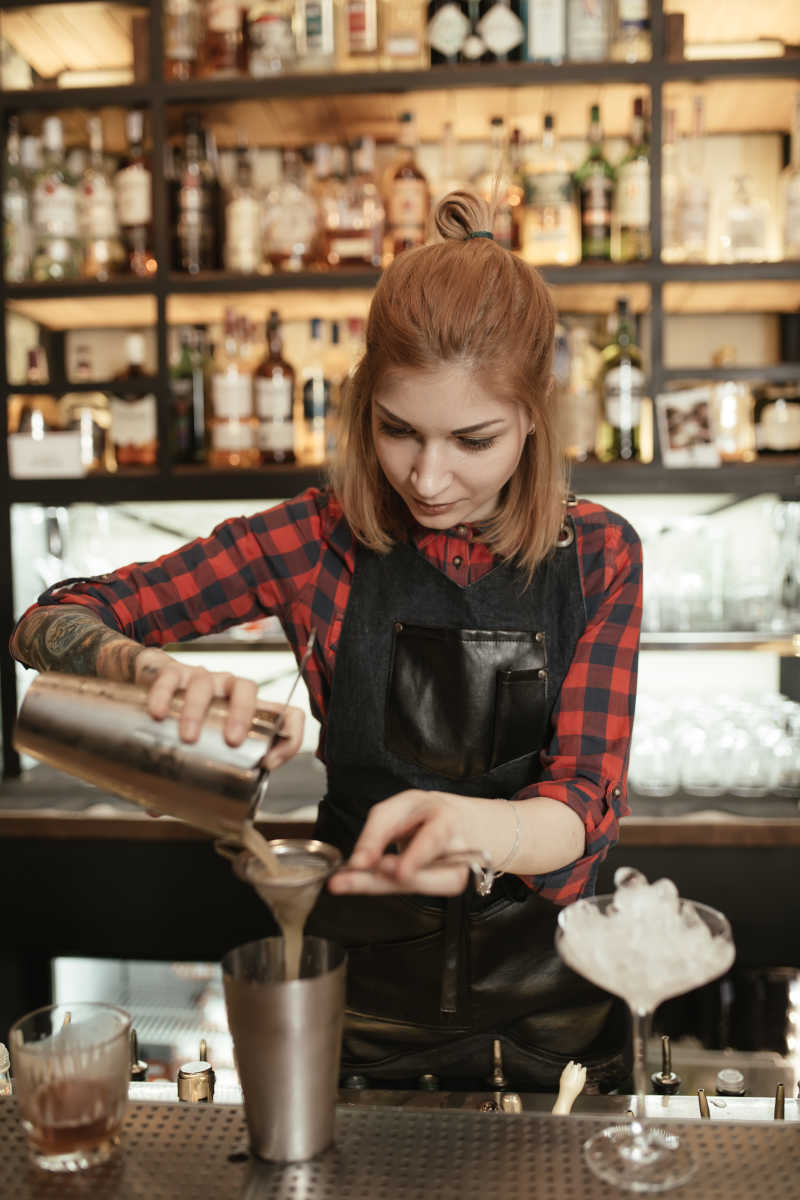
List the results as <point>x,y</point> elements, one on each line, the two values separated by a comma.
<point>236,404</point>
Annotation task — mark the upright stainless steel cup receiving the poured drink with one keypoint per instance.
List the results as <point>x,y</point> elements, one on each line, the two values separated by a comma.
<point>287,1043</point>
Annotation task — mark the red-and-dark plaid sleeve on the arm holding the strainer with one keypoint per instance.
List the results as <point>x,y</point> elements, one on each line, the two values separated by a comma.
<point>586,764</point>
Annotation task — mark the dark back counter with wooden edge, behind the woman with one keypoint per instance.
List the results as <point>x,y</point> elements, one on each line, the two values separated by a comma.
<point>91,875</point>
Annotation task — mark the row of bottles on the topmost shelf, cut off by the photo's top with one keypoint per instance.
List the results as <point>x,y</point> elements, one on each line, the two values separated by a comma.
<point>226,39</point>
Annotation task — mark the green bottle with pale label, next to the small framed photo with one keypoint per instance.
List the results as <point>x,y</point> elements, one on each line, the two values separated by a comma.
<point>623,392</point>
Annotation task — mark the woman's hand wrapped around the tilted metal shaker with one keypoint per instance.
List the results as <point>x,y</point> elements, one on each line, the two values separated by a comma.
<point>165,676</point>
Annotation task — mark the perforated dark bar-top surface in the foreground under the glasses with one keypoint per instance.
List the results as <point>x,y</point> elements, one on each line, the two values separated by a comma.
<point>201,1150</point>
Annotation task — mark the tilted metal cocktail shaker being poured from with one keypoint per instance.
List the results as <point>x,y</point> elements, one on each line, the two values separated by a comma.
<point>101,733</point>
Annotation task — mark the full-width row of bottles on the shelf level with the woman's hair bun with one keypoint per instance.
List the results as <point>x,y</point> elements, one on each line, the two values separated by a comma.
<point>86,214</point>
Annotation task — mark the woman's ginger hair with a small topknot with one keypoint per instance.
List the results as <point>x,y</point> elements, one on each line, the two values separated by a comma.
<point>465,302</point>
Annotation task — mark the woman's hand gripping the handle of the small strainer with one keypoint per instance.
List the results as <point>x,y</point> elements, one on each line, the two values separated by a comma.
<point>428,826</point>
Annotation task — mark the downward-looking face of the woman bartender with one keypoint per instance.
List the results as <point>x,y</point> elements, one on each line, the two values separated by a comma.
<point>446,445</point>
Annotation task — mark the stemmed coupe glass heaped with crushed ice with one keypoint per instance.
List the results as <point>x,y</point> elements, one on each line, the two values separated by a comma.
<point>643,944</point>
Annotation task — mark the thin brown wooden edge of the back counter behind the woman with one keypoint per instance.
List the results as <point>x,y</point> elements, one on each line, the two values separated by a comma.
<point>694,830</point>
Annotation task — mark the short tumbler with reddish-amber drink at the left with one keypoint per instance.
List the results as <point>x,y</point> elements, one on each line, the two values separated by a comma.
<point>71,1070</point>
